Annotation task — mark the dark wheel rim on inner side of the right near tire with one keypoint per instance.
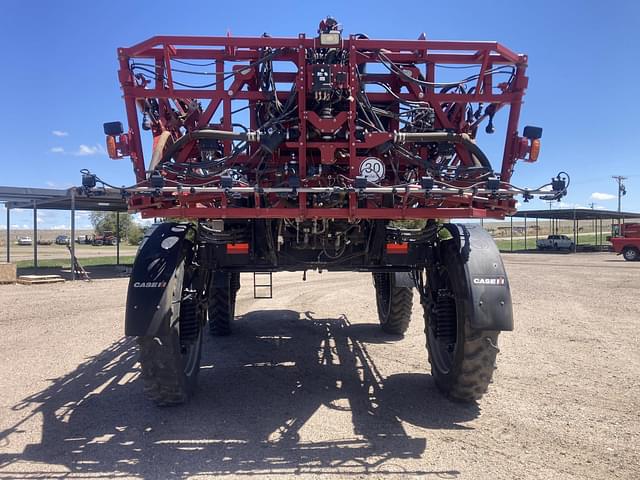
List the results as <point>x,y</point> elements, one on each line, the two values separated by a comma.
<point>443,326</point>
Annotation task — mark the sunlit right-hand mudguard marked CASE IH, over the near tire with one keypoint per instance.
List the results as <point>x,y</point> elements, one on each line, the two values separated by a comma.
<point>485,278</point>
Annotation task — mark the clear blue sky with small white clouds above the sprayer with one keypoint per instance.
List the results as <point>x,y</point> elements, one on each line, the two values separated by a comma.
<point>59,78</point>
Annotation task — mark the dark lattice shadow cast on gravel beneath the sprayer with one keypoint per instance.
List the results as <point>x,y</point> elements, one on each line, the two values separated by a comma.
<point>253,414</point>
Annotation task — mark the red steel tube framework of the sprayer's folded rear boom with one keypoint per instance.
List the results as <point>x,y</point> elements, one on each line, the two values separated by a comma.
<point>228,51</point>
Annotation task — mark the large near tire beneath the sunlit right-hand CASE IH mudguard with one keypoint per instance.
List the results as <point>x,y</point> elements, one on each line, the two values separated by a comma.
<point>462,356</point>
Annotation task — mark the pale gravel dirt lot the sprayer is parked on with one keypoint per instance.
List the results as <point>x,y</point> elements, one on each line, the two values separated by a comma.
<point>308,385</point>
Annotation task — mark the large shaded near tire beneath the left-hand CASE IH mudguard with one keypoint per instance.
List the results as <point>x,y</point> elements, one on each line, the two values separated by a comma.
<point>170,363</point>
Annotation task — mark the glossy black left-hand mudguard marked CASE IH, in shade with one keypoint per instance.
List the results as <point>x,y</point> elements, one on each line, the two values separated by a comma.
<point>153,281</point>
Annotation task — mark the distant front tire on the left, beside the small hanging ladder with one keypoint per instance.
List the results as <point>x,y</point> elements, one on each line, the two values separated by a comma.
<point>222,302</point>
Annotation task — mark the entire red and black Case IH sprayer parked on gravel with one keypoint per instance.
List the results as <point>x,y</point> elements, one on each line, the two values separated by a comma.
<point>307,153</point>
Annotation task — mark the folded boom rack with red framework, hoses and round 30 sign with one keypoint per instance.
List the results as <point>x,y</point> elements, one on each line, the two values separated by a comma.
<point>323,127</point>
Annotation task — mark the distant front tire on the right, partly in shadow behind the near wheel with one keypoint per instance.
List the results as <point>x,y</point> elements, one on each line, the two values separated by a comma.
<point>394,303</point>
